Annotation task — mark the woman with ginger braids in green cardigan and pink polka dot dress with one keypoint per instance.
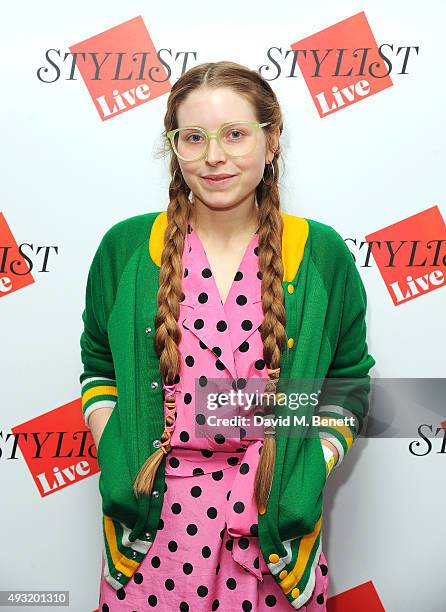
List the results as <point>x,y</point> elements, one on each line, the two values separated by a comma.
<point>194,517</point>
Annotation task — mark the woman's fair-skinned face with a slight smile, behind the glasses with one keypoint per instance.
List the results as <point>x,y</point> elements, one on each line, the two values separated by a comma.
<point>209,108</point>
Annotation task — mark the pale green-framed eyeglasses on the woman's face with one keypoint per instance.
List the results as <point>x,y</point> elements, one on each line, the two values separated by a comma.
<point>191,143</point>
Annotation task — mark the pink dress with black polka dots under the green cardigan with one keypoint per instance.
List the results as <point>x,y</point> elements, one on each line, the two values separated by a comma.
<point>206,553</point>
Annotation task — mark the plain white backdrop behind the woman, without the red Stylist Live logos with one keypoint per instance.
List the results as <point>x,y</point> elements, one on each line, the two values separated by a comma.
<point>68,177</point>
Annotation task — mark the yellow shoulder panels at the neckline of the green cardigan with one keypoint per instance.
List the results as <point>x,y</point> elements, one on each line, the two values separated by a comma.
<point>294,238</point>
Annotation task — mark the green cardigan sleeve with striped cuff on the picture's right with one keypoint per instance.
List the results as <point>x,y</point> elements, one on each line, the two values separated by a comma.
<point>347,386</point>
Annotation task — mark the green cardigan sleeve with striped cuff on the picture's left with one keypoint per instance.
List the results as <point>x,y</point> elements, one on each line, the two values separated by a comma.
<point>98,383</point>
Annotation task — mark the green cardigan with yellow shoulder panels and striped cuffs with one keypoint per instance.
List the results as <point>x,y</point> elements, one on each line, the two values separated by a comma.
<point>325,303</point>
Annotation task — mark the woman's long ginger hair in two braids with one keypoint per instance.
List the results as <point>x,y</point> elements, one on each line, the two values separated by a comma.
<point>252,86</point>
